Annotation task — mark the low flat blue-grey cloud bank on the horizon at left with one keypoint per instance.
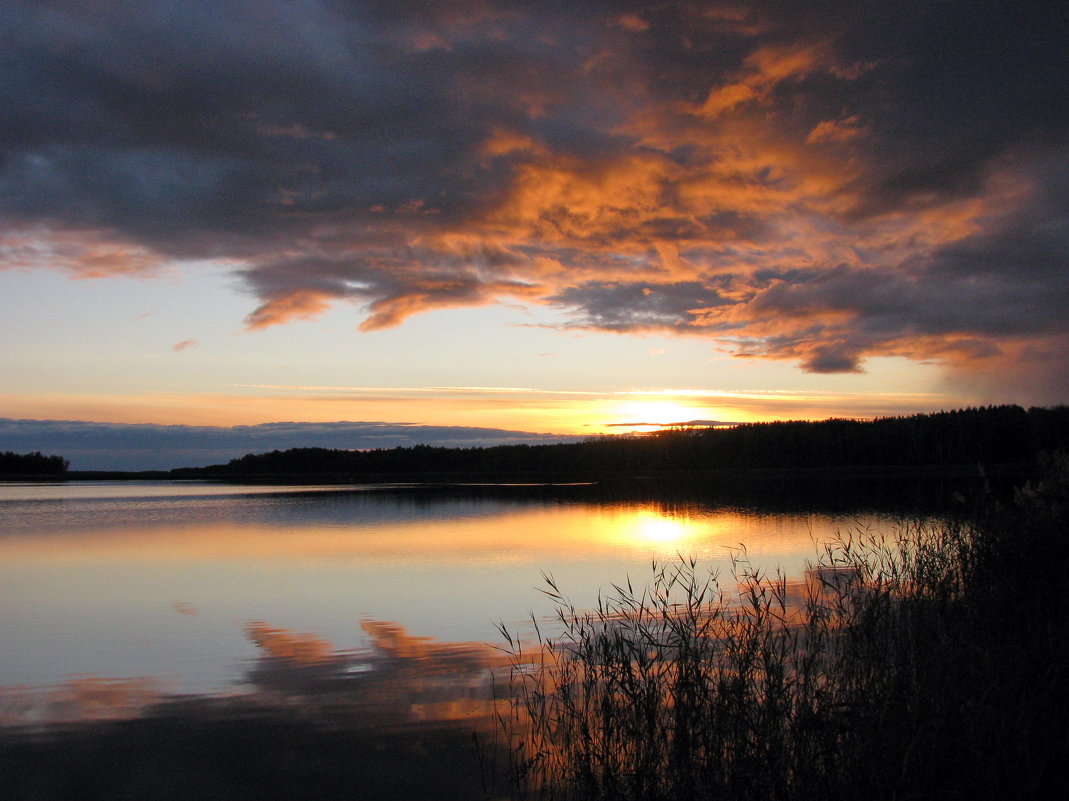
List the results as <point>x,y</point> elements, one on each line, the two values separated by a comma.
<point>145,446</point>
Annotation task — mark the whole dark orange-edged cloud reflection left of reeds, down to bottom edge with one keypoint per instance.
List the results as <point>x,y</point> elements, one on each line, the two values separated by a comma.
<point>394,721</point>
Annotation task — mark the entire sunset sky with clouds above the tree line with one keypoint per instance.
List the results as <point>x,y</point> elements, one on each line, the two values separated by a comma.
<point>538,219</point>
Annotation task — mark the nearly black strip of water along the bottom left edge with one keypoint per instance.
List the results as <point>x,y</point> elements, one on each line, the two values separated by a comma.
<point>276,756</point>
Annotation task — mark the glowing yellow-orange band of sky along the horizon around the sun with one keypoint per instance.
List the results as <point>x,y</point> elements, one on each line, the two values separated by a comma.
<point>561,412</point>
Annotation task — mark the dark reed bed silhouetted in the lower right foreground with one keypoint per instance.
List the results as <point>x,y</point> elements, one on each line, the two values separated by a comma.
<point>910,668</point>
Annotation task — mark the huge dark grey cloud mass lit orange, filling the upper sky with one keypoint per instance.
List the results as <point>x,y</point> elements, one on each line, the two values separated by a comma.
<point>817,182</point>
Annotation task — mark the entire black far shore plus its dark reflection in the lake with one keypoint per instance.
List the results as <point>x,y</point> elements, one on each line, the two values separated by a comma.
<point>922,461</point>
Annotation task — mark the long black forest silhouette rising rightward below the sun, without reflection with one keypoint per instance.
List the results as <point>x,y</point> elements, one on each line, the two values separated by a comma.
<point>1004,435</point>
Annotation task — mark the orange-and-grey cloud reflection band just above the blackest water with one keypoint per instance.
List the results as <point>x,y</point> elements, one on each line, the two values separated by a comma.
<point>399,680</point>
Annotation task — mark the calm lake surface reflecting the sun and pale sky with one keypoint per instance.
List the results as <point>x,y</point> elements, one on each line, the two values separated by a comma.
<point>116,596</point>
